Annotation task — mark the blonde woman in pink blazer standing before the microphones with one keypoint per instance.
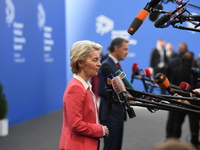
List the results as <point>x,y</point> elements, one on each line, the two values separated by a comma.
<point>81,129</point>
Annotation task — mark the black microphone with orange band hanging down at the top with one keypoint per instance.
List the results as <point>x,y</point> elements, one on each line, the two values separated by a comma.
<point>141,16</point>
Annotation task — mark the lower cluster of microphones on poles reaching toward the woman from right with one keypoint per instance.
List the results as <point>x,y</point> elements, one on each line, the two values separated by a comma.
<point>120,90</point>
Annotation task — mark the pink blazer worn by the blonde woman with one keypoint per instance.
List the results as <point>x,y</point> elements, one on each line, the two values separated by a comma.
<point>79,129</point>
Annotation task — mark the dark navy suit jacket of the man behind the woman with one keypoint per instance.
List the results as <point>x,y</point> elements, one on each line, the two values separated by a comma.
<point>117,112</point>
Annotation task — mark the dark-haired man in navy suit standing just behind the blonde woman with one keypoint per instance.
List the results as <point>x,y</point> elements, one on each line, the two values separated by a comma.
<point>118,51</point>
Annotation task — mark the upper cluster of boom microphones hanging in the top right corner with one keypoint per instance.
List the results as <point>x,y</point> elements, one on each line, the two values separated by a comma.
<point>170,18</point>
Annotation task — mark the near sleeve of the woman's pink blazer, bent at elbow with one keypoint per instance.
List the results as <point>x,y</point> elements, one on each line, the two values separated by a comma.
<point>74,107</point>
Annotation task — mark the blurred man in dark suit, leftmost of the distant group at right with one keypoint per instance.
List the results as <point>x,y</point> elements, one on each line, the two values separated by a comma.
<point>158,59</point>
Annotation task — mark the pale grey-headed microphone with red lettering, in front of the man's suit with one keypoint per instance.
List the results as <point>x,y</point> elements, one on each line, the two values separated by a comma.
<point>119,88</point>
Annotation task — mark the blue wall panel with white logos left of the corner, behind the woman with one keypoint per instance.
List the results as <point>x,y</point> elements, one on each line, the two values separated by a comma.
<point>32,57</point>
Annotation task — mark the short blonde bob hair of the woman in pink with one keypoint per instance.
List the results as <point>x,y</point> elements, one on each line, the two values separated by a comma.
<point>80,51</point>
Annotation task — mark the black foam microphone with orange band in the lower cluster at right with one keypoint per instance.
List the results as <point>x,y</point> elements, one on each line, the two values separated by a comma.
<point>163,82</point>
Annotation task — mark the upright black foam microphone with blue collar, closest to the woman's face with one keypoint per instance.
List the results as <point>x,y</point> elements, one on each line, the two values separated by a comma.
<point>107,77</point>
